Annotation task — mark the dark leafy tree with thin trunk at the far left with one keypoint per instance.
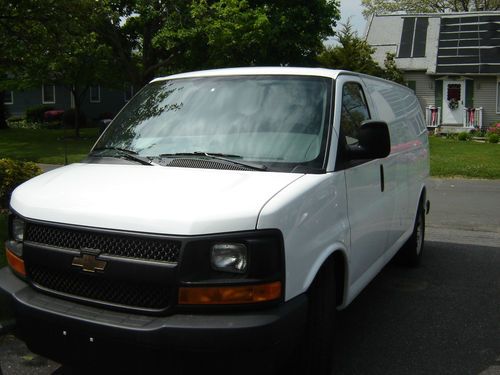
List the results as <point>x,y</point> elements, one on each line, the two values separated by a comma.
<point>51,41</point>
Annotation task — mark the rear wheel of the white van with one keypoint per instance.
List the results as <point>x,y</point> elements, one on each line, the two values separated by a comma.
<point>411,252</point>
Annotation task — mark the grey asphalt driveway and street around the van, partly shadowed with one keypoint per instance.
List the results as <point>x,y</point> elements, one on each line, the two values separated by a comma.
<point>440,318</point>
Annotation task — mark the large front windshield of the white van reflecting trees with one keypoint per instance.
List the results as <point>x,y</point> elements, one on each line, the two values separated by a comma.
<point>277,121</point>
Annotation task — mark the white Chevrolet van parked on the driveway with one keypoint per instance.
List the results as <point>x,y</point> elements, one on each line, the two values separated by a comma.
<point>221,210</point>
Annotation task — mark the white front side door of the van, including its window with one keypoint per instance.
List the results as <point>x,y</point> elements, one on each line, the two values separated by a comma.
<point>370,207</point>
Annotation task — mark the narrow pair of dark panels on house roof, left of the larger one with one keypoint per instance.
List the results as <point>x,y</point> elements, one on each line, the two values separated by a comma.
<point>413,37</point>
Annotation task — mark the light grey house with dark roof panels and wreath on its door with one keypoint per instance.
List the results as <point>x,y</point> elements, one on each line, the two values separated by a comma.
<point>451,60</point>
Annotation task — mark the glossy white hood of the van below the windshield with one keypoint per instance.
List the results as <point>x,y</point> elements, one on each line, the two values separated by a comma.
<point>153,199</point>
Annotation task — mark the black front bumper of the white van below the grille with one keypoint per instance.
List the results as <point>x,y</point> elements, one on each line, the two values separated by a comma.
<point>64,330</point>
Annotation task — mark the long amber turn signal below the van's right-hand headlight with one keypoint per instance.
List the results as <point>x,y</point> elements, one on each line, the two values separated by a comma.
<point>226,295</point>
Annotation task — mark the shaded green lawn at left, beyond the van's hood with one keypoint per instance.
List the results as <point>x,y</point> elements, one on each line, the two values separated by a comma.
<point>46,145</point>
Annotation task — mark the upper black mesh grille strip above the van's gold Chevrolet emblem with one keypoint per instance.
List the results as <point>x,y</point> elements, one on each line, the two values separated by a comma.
<point>115,244</point>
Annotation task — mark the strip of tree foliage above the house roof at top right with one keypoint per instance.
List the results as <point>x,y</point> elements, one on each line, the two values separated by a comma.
<point>426,6</point>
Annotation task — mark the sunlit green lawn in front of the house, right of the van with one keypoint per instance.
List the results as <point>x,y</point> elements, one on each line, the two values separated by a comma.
<point>453,158</point>
